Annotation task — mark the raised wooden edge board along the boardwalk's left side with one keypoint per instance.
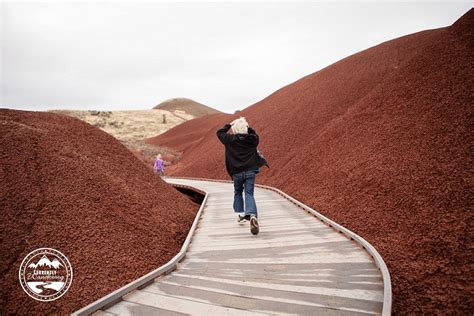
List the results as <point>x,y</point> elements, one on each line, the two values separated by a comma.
<point>116,296</point>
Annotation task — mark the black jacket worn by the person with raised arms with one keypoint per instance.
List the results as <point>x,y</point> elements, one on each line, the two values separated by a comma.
<point>240,150</point>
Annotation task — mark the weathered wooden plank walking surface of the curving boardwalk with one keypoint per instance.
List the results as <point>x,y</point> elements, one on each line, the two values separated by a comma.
<point>295,265</point>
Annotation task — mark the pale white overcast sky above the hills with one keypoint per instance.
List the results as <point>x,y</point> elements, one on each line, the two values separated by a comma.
<point>109,56</point>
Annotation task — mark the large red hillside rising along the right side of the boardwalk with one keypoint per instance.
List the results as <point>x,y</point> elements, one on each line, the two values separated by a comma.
<point>382,143</point>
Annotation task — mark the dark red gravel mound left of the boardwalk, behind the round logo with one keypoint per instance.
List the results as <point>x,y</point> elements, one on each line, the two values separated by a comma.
<point>69,186</point>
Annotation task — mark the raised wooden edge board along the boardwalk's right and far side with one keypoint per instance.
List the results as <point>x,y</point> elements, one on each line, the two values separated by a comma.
<point>379,262</point>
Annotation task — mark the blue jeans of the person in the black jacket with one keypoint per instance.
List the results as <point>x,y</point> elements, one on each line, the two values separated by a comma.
<point>244,180</point>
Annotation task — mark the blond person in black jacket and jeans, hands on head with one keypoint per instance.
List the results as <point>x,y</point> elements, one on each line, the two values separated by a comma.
<point>241,163</point>
